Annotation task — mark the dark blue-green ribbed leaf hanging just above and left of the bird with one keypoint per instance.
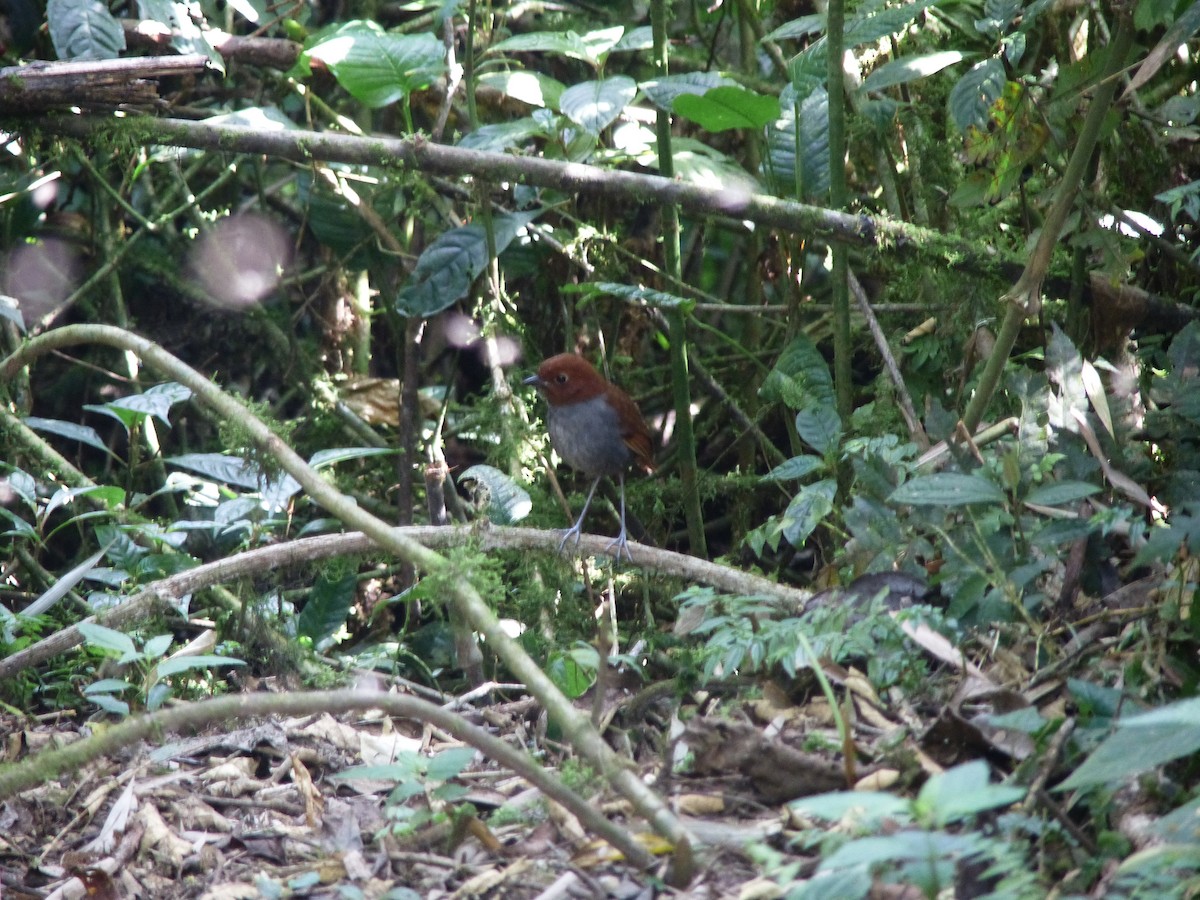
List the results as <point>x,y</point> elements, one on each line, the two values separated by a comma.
<point>447,269</point>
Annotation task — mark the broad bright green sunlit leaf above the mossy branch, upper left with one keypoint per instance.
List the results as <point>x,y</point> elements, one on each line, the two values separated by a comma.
<point>379,68</point>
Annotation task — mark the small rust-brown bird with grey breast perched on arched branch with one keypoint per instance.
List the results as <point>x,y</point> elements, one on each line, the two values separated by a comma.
<point>596,428</point>
